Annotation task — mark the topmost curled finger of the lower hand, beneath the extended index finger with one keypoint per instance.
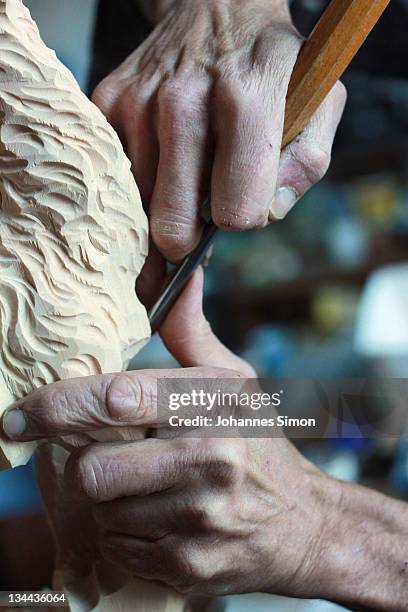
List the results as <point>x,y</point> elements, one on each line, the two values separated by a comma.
<point>103,472</point>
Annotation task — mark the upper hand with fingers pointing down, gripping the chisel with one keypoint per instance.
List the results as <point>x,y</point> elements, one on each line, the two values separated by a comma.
<point>201,103</point>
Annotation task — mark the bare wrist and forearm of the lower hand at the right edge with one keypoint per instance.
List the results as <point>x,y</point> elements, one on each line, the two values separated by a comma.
<point>364,552</point>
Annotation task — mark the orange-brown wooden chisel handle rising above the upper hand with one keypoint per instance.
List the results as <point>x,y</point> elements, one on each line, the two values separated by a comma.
<point>324,57</point>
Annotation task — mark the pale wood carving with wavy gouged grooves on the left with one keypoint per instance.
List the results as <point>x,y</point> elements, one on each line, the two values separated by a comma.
<point>73,234</point>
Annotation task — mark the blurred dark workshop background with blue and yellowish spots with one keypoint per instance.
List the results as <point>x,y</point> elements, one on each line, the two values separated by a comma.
<point>322,294</point>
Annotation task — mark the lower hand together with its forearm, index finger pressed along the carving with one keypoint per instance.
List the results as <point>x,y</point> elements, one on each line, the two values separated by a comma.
<point>210,516</point>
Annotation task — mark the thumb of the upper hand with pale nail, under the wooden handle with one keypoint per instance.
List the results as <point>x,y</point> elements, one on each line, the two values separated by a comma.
<point>306,160</point>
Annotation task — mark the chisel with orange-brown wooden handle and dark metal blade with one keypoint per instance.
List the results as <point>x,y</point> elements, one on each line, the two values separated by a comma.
<point>325,55</point>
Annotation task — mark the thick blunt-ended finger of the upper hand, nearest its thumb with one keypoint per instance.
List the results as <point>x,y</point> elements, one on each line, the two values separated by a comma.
<point>246,158</point>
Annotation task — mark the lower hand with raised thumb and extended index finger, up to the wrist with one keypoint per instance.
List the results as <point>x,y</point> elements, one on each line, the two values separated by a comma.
<point>198,514</point>
